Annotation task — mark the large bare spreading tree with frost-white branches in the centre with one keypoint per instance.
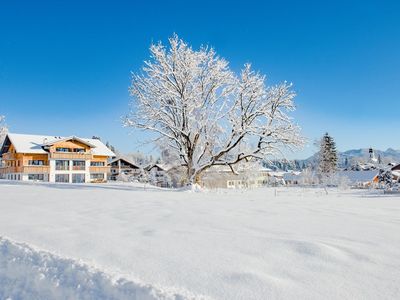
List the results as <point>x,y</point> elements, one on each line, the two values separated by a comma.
<point>208,116</point>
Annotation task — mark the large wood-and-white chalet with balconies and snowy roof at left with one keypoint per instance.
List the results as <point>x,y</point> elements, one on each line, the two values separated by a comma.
<point>54,159</point>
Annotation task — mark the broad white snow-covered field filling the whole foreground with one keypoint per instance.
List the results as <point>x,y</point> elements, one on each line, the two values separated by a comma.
<point>121,242</point>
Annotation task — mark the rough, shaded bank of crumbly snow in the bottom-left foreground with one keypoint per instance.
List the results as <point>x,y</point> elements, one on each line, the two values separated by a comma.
<point>28,273</point>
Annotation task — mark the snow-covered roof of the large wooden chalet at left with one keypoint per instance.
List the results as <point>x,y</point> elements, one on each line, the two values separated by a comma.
<point>29,143</point>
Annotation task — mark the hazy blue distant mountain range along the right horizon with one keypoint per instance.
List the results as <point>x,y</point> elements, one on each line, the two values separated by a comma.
<point>346,159</point>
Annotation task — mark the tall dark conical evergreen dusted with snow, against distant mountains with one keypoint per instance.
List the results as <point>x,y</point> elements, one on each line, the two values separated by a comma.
<point>328,158</point>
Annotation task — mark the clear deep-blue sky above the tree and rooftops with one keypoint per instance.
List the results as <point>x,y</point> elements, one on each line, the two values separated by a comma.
<point>65,65</point>
